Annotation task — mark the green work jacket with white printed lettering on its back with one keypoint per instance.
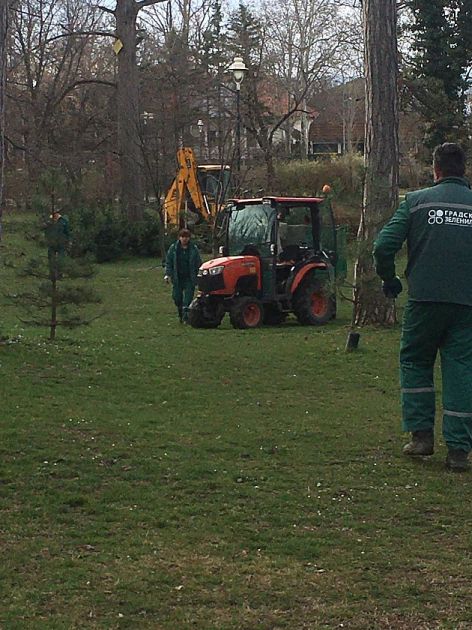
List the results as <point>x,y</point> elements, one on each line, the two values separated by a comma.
<point>436,223</point>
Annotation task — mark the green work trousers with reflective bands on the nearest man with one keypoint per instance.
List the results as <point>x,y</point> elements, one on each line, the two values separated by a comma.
<point>429,328</point>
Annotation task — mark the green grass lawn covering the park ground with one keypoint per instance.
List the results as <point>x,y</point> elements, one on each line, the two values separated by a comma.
<point>156,476</point>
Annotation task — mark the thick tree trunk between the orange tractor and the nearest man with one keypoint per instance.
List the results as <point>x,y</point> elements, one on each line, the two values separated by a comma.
<point>381,156</point>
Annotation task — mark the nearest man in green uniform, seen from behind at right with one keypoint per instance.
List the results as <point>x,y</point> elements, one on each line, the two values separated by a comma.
<point>436,223</point>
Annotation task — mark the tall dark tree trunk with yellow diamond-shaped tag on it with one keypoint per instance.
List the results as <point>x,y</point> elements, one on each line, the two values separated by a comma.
<point>129,143</point>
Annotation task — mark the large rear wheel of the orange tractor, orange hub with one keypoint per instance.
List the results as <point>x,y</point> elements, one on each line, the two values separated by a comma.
<point>313,305</point>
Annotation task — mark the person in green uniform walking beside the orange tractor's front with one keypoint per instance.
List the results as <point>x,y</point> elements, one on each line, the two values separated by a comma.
<point>182,264</point>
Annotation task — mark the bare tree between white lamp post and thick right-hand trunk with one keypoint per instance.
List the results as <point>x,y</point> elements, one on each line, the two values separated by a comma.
<point>288,48</point>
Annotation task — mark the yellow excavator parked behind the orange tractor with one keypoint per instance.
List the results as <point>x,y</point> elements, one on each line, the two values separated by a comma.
<point>197,193</point>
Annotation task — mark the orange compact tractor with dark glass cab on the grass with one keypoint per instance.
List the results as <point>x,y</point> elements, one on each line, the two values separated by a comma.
<point>281,255</point>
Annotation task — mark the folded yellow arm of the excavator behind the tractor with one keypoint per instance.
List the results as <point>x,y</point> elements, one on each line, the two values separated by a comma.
<point>185,187</point>
